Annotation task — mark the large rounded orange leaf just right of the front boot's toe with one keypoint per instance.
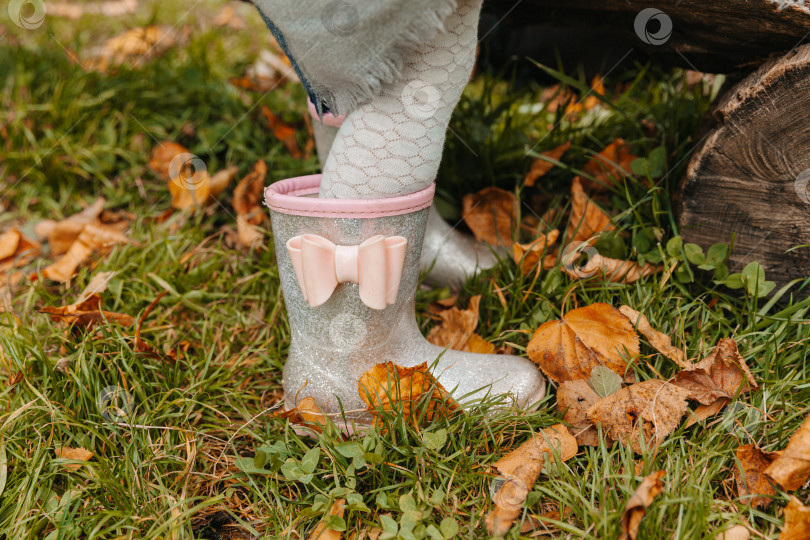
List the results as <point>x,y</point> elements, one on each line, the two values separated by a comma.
<point>595,335</point>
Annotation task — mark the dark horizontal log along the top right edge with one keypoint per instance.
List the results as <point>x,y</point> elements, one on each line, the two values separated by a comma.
<point>716,36</point>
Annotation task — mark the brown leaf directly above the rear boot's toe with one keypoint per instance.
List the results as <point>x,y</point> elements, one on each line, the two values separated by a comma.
<point>491,214</point>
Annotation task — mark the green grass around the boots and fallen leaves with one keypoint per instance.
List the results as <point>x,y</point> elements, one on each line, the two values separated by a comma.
<point>172,468</point>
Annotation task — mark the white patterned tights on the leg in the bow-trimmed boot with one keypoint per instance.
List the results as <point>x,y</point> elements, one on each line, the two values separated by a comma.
<point>393,145</point>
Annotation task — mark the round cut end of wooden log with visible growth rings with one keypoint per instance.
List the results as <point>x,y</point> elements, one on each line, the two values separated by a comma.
<point>750,174</point>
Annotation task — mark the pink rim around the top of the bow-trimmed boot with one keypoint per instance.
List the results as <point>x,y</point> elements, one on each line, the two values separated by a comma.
<point>290,196</point>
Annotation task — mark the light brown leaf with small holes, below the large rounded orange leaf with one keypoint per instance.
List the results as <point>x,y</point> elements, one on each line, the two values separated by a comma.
<point>657,405</point>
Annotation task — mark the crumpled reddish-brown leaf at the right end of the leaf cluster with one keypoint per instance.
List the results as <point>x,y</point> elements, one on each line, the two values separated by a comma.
<point>719,375</point>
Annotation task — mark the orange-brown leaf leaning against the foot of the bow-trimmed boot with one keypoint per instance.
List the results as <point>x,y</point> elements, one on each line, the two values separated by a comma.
<point>389,387</point>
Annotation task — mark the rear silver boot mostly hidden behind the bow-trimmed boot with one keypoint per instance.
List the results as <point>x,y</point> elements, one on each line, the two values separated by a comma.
<point>448,255</point>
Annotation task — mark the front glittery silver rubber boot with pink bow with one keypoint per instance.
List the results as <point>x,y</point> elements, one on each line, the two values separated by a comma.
<point>349,271</point>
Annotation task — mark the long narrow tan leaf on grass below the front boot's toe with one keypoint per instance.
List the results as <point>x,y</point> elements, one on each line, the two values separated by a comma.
<point>520,469</point>
